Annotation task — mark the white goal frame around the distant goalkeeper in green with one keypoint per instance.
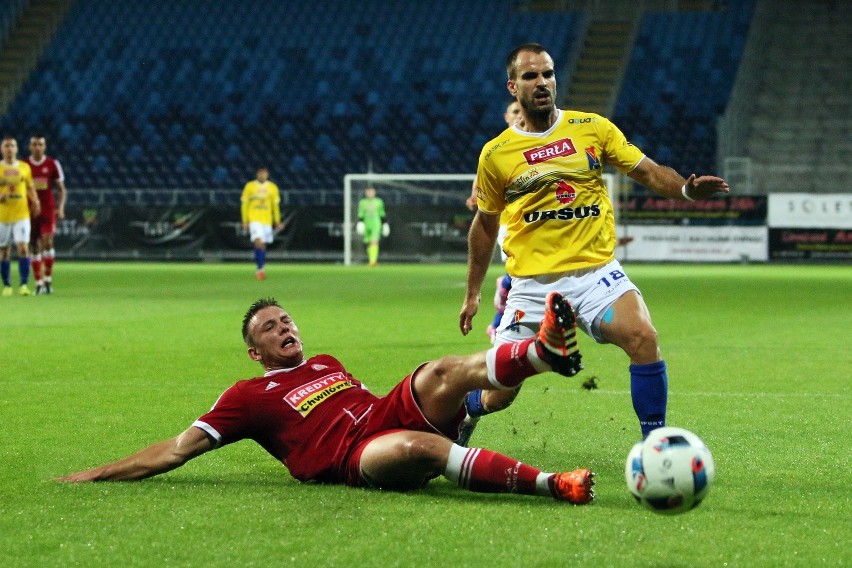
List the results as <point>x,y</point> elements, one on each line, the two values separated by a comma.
<point>408,182</point>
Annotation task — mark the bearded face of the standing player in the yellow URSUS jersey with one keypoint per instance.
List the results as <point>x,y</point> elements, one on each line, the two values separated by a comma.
<point>534,84</point>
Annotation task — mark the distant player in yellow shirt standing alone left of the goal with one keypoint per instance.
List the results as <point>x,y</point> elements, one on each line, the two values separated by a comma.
<point>261,211</point>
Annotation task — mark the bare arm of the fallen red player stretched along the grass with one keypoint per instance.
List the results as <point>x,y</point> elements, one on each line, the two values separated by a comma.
<point>155,459</point>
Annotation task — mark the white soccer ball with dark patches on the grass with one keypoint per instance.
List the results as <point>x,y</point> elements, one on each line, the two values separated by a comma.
<point>670,472</point>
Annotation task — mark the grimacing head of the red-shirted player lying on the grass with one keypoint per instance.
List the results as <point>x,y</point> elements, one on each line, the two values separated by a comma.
<point>276,339</point>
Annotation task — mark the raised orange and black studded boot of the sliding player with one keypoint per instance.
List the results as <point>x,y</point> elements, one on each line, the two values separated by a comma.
<point>557,336</point>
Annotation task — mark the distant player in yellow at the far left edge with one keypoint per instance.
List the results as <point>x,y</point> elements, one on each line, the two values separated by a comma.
<point>17,192</point>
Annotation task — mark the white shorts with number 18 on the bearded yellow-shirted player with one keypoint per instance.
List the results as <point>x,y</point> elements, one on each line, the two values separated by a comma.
<point>591,291</point>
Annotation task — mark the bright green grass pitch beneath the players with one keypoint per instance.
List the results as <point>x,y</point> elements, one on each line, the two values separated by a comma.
<point>123,355</point>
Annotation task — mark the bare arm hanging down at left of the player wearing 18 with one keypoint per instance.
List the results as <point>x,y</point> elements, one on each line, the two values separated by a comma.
<point>480,242</point>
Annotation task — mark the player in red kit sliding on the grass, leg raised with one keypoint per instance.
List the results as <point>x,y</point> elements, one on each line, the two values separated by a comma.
<point>324,425</point>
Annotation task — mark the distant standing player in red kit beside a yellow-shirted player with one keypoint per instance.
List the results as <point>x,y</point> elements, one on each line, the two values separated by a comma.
<point>47,178</point>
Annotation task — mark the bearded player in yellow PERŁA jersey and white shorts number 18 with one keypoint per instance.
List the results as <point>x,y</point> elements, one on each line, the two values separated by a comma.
<point>545,173</point>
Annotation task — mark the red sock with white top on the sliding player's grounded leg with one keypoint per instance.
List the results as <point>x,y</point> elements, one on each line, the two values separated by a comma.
<point>485,471</point>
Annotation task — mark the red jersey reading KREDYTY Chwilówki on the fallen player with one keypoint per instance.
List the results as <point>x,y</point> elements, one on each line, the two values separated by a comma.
<point>307,417</point>
